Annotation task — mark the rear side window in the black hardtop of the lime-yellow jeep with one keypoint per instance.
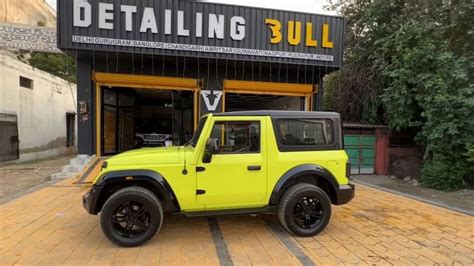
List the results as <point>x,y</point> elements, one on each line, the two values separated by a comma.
<point>305,132</point>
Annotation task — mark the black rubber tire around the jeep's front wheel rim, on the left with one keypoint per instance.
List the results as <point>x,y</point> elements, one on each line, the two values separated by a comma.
<point>137,194</point>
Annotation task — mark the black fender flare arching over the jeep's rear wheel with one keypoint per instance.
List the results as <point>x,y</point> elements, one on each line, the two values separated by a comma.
<point>299,171</point>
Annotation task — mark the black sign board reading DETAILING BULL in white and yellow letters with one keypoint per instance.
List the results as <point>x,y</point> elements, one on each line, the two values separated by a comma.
<point>184,28</point>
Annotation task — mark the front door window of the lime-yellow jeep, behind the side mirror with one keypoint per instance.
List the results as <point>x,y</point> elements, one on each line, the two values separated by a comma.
<point>237,137</point>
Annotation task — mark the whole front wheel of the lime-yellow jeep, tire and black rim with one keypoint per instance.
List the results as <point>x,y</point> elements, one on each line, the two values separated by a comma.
<point>131,216</point>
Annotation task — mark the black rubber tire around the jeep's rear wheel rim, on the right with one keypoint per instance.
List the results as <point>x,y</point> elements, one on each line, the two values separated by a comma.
<point>288,202</point>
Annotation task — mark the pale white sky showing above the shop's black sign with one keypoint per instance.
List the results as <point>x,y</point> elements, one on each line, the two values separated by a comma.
<point>310,6</point>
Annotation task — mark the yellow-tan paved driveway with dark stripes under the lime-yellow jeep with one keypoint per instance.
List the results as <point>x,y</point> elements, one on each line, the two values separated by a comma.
<point>50,227</point>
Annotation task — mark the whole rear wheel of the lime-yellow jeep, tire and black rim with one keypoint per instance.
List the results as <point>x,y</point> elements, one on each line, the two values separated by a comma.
<point>304,210</point>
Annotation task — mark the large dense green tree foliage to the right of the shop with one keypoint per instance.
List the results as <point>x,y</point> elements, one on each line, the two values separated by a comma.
<point>410,64</point>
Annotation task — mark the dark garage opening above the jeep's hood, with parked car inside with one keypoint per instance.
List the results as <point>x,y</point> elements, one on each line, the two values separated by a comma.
<point>143,117</point>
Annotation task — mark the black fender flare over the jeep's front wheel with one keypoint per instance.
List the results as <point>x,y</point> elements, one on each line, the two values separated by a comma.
<point>154,179</point>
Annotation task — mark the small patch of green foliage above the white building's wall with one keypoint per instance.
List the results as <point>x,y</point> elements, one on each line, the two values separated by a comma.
<point>59,65</point>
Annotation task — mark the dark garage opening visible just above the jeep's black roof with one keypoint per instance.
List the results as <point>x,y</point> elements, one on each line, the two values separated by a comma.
<point>253,102</point>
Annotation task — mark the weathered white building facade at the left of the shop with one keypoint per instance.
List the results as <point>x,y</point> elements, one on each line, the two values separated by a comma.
<point>42,106</point>
